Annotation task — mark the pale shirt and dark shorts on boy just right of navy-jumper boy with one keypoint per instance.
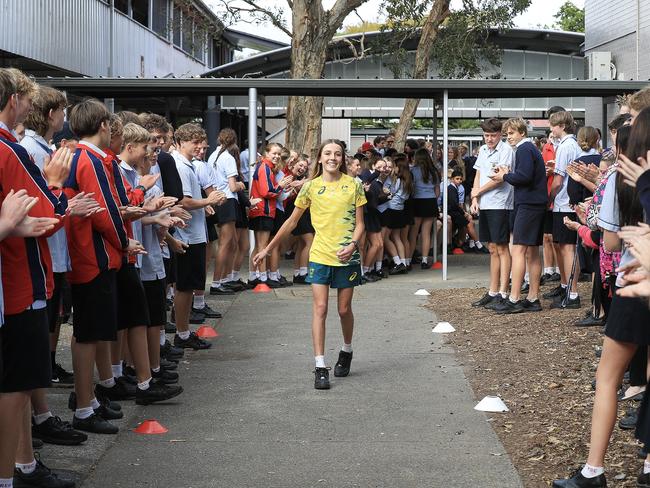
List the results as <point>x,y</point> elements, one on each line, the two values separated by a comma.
<point>567,151</point>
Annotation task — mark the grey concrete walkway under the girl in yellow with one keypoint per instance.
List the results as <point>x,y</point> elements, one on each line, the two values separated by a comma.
<point>250,417</point>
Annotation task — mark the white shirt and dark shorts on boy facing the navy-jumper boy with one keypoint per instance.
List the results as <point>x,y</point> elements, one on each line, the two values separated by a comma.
<point>496,204</point>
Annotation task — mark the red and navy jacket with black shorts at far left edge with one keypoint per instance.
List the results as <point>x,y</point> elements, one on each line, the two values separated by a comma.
<point>27,276</point>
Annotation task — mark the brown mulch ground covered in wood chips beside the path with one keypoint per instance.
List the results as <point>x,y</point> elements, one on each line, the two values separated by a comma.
<point>542,367</point>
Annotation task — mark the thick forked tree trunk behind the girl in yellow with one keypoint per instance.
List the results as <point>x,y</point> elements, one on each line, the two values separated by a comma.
<point>313,29</point>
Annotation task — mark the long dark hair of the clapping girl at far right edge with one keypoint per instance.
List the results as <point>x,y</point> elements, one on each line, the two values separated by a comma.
<point>638,145</point>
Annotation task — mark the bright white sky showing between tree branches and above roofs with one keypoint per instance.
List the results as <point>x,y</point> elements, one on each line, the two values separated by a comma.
<point>540,12</point>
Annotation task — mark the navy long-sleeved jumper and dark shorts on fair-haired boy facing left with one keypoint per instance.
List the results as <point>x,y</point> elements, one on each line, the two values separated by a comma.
<point>530,197</point>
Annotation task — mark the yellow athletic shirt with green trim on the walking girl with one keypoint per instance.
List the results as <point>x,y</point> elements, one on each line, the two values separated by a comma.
<point>333,215</point>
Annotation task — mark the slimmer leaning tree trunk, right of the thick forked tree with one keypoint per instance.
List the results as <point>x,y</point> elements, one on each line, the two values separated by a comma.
<point>439,12</point>
